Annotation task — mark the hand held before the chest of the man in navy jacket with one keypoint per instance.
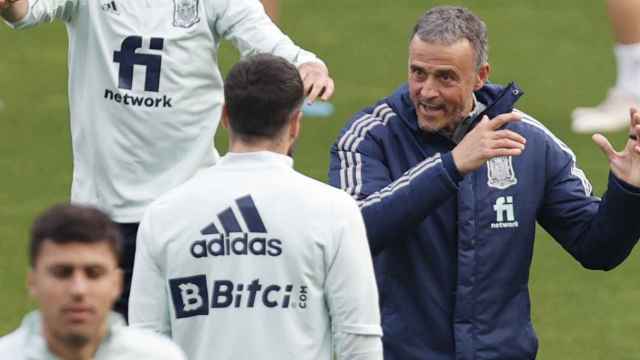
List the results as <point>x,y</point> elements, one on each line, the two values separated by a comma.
<point>487,141</point>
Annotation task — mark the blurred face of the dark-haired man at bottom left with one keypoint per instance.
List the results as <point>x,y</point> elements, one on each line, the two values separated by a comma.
<point>75,285</point>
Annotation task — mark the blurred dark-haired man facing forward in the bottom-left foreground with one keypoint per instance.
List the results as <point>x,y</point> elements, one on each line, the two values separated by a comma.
<point>75,279</point>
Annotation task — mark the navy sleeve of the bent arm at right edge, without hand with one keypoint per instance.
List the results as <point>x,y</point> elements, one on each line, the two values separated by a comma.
<point>599,233</point>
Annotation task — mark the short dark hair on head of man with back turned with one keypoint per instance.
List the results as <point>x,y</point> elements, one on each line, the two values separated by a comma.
<point>261,93</point>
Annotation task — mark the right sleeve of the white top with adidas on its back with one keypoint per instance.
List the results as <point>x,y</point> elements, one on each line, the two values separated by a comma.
<point>352,295</point>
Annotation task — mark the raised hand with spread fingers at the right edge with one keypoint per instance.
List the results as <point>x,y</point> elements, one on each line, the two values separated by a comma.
<point>624,164</point>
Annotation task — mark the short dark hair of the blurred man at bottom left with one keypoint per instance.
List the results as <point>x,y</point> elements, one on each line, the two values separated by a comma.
<point>66,223</point>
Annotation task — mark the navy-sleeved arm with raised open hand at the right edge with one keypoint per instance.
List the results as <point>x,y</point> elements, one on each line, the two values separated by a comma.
<point>599,234</point>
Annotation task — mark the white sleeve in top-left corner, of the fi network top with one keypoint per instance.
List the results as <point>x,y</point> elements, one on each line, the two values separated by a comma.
<point>46,11</point>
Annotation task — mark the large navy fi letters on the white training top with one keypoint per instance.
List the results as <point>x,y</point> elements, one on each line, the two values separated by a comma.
<point>127,57</point>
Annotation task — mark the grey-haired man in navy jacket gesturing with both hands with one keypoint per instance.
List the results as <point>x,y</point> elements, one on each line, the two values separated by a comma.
<point>451,200</point>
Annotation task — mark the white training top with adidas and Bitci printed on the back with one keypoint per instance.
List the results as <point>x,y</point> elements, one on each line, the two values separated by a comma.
<point>253,260</point>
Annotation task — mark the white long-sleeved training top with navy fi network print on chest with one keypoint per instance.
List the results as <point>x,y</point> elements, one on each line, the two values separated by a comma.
<point>145,91</point>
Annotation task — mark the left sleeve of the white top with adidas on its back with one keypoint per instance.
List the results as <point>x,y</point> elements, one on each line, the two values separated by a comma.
<point>148,303</point>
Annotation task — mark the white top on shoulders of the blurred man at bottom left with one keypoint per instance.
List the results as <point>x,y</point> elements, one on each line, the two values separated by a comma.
<point>121,343</point>
